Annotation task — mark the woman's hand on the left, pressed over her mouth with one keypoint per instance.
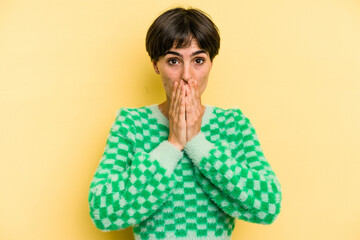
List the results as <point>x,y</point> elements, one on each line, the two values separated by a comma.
<point>177,122</point>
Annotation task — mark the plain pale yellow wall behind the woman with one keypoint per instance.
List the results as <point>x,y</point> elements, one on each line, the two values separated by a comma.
<point>293,67</point>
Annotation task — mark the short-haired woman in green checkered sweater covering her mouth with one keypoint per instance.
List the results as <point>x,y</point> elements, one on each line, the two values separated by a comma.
<point>181,169</point>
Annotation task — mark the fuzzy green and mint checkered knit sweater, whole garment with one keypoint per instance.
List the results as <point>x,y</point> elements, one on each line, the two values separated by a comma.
<point>145,182</point>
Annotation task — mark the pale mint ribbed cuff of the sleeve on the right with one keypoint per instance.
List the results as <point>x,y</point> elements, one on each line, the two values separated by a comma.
<point>198,148</point>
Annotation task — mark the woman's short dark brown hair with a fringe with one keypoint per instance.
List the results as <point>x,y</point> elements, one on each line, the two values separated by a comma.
<point>181,25</point>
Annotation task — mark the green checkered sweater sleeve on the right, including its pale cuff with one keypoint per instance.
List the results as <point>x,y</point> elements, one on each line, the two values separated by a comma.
<point>235,173</point>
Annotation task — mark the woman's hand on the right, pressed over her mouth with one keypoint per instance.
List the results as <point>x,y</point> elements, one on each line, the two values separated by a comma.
<point>193,110</point>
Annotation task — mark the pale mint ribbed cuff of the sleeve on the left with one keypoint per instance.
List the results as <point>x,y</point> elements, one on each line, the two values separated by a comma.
<point>167,155</point>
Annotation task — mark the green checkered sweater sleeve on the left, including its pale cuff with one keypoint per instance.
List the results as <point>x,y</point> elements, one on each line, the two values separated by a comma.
<point>129,186</point>
